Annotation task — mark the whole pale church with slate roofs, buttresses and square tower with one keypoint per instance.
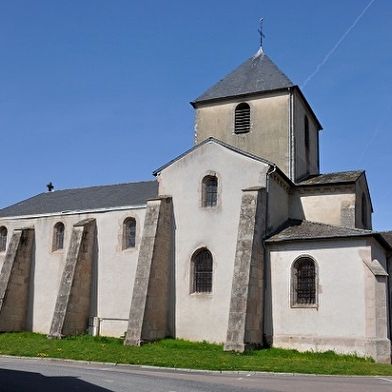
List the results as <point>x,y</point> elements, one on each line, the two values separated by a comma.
<point>240,240</point>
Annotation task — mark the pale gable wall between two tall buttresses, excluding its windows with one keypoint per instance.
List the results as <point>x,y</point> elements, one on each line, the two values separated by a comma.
<point>205,316</point>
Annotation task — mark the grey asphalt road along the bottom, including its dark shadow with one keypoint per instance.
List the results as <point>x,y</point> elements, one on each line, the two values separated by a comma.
<point>33,375</point>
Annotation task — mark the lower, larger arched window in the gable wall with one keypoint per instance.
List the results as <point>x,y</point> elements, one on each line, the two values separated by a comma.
<point>202,272</point>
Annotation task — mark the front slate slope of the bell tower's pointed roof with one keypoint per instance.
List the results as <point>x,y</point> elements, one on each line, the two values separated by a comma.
<point>257,74</point>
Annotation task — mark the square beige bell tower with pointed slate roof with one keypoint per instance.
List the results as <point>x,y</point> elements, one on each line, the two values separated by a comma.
<point>256,108</point>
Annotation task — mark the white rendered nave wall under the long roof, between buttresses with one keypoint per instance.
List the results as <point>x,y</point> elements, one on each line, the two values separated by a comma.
<point>114,268</point>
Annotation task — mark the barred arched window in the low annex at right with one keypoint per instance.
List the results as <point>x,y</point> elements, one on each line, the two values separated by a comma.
<point>304,282</point>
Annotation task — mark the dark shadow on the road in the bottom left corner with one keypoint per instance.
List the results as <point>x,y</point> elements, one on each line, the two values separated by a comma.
<point>18,381</point>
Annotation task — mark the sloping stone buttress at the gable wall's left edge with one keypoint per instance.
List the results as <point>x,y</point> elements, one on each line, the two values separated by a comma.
<point>150,308</point>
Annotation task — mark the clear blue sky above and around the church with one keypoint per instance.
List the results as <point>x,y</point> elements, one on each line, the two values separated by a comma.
<point>97,91</point>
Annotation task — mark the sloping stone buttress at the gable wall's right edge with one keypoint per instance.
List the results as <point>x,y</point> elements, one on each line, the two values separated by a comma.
<point>245,326</point>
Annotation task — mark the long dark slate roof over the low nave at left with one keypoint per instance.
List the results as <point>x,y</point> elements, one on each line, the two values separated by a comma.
<point>82,199</point>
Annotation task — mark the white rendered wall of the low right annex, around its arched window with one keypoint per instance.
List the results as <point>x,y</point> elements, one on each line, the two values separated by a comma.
<point>340,313</point>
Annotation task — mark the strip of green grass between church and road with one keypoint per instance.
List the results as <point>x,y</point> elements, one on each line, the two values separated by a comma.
<point>183,354</point>
